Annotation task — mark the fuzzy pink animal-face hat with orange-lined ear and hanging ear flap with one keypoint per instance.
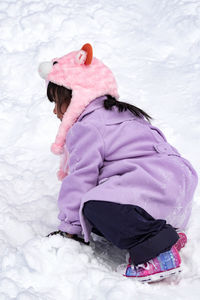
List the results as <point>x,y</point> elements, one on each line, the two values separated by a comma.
<point>86,76</point>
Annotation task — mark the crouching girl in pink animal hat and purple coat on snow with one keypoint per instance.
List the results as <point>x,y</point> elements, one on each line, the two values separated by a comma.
<point>120,177</point>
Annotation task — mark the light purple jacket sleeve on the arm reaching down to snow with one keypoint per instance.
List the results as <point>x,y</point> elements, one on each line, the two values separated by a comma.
<point>86,154</point>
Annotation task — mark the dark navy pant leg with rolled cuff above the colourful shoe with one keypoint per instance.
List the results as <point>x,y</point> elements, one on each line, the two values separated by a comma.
<point>131,227</point>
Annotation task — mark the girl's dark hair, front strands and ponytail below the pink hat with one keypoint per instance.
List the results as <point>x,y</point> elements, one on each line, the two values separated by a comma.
<point>64,95</point>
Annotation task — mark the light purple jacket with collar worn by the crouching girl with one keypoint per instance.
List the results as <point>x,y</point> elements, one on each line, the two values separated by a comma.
<point>115,156</point>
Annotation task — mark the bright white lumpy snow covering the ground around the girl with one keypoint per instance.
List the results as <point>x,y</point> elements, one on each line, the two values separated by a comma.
<point>153,48</point>
